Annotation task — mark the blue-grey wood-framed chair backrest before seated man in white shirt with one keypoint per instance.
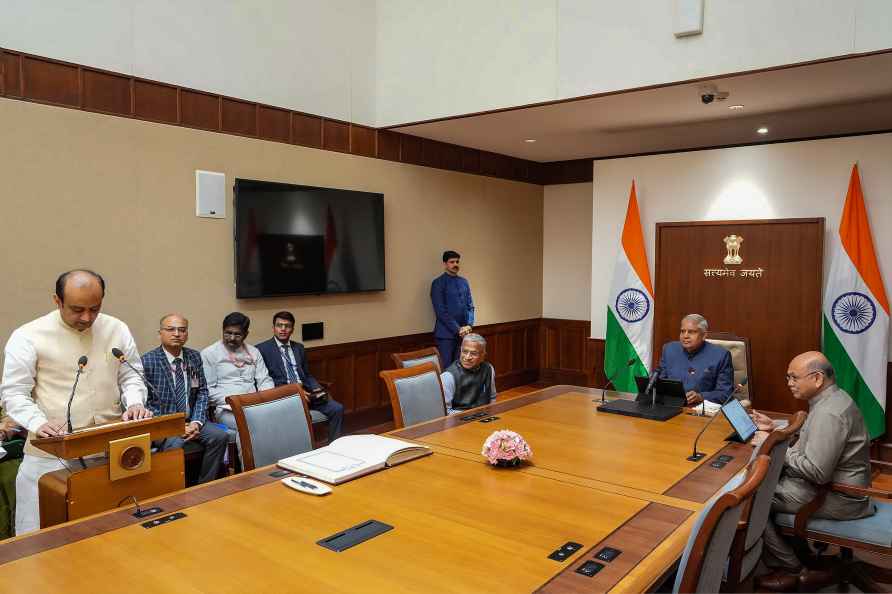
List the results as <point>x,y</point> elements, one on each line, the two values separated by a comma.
<point>272,424</point>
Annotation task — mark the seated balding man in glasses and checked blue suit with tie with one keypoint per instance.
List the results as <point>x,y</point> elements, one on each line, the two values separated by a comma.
<point>178,385</point>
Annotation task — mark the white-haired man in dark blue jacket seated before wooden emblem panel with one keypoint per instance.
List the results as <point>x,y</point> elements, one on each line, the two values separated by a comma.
<point>703,368</point>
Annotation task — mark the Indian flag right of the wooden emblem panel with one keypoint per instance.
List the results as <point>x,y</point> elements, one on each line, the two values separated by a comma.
<point>856,312</point>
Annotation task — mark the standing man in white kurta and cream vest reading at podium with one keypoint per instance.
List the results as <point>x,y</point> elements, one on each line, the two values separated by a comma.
<point>41,361</point>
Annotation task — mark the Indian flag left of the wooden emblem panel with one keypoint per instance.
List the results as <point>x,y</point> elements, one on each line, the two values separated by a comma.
<point>630,307</point>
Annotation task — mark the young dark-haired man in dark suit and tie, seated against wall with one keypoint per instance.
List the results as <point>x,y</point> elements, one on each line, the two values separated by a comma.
<point>287,364</point>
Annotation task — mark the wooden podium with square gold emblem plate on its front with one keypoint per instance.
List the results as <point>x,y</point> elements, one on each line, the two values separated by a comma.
<point>130,469</point>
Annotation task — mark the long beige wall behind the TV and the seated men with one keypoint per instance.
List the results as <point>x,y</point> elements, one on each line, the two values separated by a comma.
<point>83,189</point>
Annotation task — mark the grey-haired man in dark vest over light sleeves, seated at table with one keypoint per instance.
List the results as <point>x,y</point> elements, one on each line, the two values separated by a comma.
<point>471,380</point>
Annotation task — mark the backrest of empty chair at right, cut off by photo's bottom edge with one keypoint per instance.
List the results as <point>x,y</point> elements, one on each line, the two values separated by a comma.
<point>706,553</point>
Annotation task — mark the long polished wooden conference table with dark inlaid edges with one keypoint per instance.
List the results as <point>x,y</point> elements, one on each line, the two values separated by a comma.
<point>459,525</point>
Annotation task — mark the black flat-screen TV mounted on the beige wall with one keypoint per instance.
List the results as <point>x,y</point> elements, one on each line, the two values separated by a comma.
<point>295,240</point>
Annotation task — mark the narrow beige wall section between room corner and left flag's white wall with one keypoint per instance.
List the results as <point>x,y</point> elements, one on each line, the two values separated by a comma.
<point>566,257</point>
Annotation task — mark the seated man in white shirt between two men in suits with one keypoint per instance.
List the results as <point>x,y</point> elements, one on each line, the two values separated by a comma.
<point>232,367</point>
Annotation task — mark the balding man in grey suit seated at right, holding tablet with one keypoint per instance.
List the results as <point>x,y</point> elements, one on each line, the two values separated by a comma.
<point>833,446</point>
